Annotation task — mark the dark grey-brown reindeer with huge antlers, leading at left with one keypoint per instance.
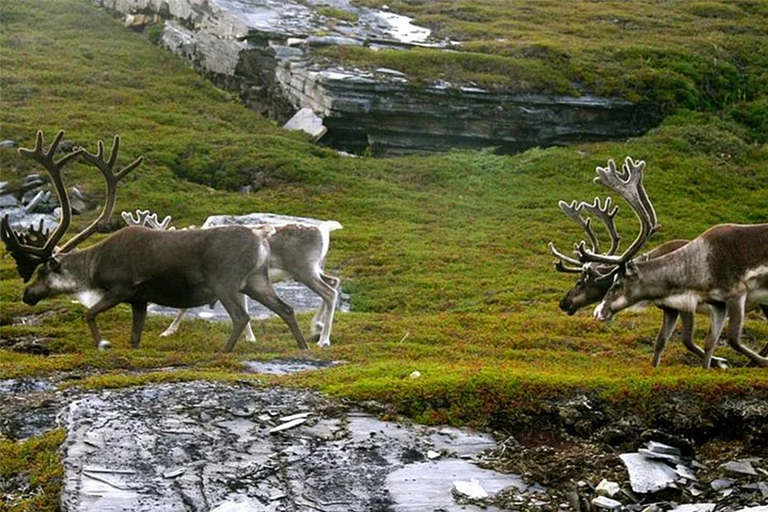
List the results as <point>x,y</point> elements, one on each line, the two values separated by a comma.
<point>138,265</point>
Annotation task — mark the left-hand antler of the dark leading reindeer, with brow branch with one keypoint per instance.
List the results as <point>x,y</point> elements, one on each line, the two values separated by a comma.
<point>31,250</point>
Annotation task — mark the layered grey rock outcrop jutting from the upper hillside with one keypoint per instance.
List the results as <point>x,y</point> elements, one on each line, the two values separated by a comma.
<point>262,49</point>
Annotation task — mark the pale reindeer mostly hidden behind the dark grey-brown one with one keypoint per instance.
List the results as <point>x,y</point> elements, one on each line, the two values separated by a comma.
<point>297,251</point>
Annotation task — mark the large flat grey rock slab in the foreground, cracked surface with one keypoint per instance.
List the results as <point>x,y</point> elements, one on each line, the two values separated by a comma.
<point>207,446</point>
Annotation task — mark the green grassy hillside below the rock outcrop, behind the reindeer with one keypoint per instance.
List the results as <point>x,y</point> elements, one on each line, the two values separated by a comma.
<point>444,257</point>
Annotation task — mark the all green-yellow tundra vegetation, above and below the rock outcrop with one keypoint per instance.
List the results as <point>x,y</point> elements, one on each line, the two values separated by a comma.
<point>444,257</point>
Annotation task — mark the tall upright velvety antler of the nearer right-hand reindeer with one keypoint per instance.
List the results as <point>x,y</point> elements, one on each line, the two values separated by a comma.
<point>629,184</point>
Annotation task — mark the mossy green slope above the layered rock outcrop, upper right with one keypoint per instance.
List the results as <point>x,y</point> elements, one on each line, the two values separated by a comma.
<point>678,53</point>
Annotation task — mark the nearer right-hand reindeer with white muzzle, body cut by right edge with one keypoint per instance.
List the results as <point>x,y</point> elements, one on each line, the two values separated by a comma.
<point>690,278</point>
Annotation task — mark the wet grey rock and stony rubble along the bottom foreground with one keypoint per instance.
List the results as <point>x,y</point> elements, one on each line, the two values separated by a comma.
<point>225,447</point>
